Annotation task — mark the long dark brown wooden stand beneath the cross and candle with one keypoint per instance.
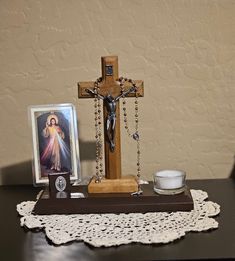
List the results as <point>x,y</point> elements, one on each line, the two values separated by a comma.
<point>149,201</point>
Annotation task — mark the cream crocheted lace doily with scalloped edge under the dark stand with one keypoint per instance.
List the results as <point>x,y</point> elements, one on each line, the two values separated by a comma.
<point>116,229</point>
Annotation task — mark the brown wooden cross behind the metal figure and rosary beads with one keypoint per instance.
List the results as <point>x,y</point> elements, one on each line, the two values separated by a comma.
<point>111,86</point>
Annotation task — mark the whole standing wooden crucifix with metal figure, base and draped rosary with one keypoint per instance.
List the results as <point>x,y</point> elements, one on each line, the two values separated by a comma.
<point>109,90</point>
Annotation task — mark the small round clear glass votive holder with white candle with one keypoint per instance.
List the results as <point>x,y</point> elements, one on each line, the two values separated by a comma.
<point>169,182</point>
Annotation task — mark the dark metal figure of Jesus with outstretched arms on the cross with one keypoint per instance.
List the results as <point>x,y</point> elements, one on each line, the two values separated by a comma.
<point>110,103</point>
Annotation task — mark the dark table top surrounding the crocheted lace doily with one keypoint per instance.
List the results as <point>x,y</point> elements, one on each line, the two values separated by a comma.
<point>17,243</point>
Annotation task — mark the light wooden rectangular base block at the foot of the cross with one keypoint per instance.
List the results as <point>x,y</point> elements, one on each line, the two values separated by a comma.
<point>126,184</point>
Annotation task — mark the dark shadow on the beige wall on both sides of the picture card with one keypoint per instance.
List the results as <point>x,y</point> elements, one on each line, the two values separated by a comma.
<point>21,173</point>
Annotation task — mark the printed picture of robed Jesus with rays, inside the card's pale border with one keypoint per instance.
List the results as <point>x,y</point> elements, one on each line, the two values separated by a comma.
<point>54,142</point>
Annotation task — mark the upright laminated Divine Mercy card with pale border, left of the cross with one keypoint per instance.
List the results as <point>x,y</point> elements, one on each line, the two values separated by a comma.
<point>55,142</point>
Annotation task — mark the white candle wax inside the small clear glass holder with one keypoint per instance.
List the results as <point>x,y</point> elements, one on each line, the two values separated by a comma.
<point>169,179</point>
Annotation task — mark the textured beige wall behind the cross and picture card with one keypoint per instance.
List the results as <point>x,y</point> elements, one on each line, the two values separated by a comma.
<point>183,50</point>
